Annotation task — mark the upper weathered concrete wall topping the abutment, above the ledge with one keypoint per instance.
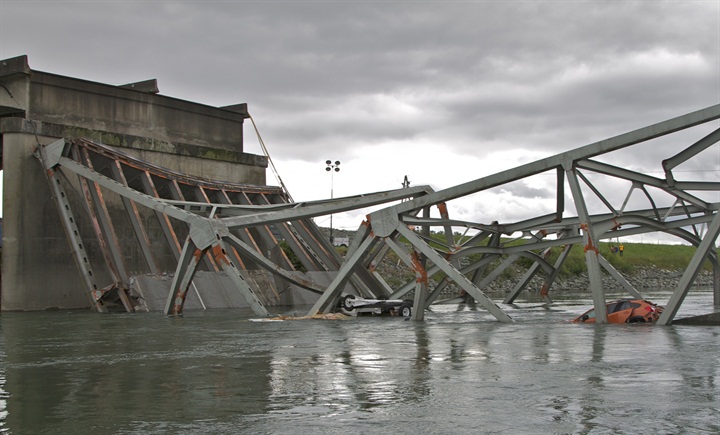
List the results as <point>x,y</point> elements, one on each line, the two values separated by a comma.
<point>83,105</point>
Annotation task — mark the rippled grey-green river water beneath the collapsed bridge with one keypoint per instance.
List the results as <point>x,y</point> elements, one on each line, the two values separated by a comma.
<point>219,373</point>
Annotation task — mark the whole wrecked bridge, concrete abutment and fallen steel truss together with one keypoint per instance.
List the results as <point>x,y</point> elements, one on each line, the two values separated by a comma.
<point>145,237</point>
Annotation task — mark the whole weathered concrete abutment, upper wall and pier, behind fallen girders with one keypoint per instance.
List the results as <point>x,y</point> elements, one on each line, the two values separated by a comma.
<point>37,107</point>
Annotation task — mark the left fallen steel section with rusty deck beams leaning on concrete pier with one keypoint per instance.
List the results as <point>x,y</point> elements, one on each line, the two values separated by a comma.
<point>226,227</point>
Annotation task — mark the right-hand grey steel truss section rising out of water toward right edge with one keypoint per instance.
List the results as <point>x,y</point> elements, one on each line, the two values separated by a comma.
<point>686,212</point>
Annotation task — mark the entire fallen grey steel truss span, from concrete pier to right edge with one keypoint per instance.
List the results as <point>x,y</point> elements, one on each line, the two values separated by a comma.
<point>234,228</point>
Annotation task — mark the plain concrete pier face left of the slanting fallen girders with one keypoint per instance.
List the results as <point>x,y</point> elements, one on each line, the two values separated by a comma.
<point>38,271</point>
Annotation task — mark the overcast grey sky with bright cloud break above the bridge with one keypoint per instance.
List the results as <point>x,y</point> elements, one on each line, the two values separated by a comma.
<point>443,92</point>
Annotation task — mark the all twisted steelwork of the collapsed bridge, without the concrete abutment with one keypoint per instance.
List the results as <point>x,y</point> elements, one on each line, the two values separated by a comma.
<point>217,224</point>
